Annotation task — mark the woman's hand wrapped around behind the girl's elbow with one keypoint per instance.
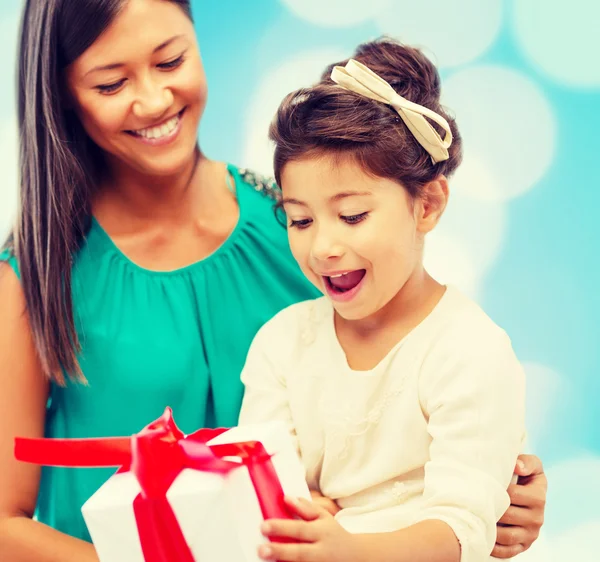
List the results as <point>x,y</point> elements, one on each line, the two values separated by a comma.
<point>520,525</point>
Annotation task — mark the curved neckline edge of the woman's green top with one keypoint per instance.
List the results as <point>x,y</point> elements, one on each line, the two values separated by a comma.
<point>108,242</point>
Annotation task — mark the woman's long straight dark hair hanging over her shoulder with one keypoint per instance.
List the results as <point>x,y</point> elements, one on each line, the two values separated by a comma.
<point>59,167</point>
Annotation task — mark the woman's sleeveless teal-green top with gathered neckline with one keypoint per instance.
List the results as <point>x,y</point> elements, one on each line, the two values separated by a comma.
<point>155,339</point>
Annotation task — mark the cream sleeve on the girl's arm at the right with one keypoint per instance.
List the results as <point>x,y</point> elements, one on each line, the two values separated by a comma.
<point>474,403</point>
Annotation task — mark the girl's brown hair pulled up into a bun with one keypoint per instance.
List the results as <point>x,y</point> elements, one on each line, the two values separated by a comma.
<point>326,119</point>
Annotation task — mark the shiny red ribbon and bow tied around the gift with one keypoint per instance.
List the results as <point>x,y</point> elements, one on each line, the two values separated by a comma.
<point>156,456</point>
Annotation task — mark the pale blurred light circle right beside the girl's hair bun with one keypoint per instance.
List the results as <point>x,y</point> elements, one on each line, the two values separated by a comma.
<point>505,121</point>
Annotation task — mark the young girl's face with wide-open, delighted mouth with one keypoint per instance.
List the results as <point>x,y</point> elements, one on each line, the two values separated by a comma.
<point>356,237</point>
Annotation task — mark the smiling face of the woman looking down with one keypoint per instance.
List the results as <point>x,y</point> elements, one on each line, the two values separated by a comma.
<point>140,89</point>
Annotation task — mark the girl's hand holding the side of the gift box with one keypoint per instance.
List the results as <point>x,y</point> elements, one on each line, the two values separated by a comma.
<point>320,538</point>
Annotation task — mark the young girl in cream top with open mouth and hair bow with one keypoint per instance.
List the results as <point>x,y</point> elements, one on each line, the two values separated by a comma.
<point>406,400</point>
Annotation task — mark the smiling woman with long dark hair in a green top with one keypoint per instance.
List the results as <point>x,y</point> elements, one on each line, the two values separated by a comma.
<point>145,268</point>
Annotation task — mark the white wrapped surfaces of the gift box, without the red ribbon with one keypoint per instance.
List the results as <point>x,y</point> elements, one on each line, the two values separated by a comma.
<point>219,515</point>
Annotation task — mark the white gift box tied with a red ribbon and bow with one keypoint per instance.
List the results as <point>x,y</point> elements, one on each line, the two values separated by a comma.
<point>181,498</point>
